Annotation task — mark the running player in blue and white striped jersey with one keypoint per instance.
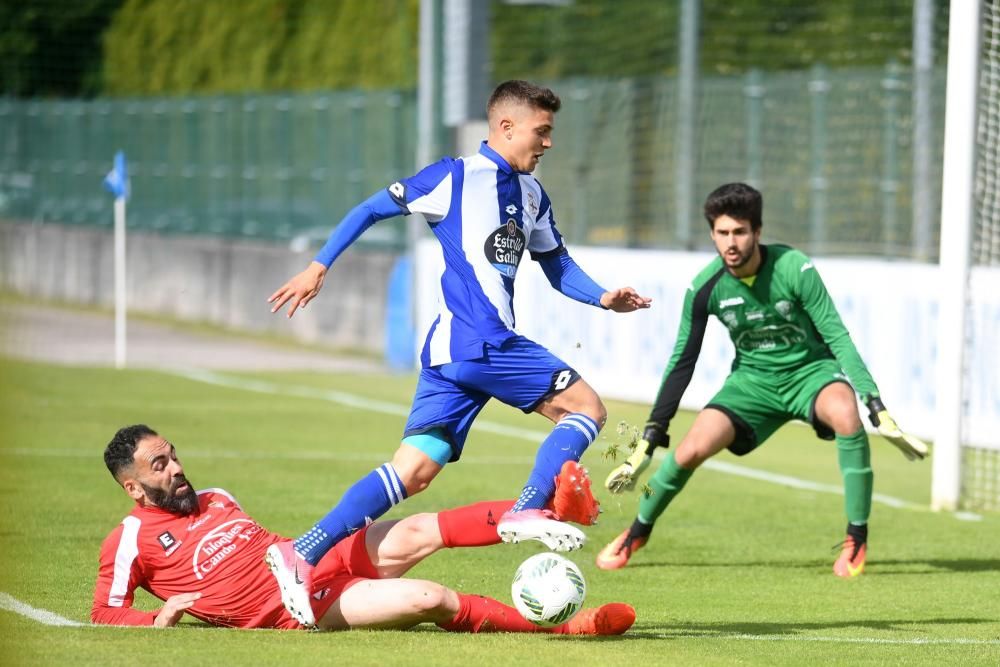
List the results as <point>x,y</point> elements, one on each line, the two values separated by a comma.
<point>486,210</point>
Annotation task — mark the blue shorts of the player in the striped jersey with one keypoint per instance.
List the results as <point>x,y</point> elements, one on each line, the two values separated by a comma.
<point>521,373</point>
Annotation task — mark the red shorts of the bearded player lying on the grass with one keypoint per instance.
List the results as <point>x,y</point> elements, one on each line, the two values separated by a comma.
<point>342,567</point>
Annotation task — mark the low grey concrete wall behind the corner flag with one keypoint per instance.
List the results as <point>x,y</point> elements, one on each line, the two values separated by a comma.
<point>200,279</point>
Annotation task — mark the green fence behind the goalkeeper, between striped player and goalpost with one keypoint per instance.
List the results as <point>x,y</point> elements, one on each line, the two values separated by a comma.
<point>832,151</point>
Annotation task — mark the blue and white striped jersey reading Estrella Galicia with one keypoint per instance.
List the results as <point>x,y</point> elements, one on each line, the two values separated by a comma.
<point>485,214</point>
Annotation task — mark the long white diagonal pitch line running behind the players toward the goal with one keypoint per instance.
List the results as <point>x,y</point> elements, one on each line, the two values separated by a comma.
<point>360,402</point>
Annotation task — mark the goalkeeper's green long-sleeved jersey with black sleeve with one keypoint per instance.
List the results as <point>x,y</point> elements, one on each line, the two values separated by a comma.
<point>778,320</point>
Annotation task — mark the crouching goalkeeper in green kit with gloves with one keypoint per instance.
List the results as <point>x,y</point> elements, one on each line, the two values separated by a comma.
<point>794,360</point>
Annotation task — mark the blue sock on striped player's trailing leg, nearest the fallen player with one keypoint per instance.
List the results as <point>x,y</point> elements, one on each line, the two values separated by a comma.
<point>370,497</point>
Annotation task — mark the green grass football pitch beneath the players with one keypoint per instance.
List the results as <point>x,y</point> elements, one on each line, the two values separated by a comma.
<point>739,570</point>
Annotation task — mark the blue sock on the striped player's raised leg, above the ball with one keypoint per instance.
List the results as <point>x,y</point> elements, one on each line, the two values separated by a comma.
<point>568,440</point>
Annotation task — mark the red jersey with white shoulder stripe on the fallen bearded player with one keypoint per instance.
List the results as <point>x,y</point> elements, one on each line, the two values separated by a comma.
<point>217,551</point>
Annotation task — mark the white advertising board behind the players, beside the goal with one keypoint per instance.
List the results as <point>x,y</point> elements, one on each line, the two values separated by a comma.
<point>890,308</point>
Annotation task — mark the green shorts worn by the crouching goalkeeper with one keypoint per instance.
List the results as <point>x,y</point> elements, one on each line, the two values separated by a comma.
<point>759,403</point>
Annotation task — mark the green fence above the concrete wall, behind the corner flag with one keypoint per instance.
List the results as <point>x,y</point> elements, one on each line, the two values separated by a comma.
<point>277,167</point>
